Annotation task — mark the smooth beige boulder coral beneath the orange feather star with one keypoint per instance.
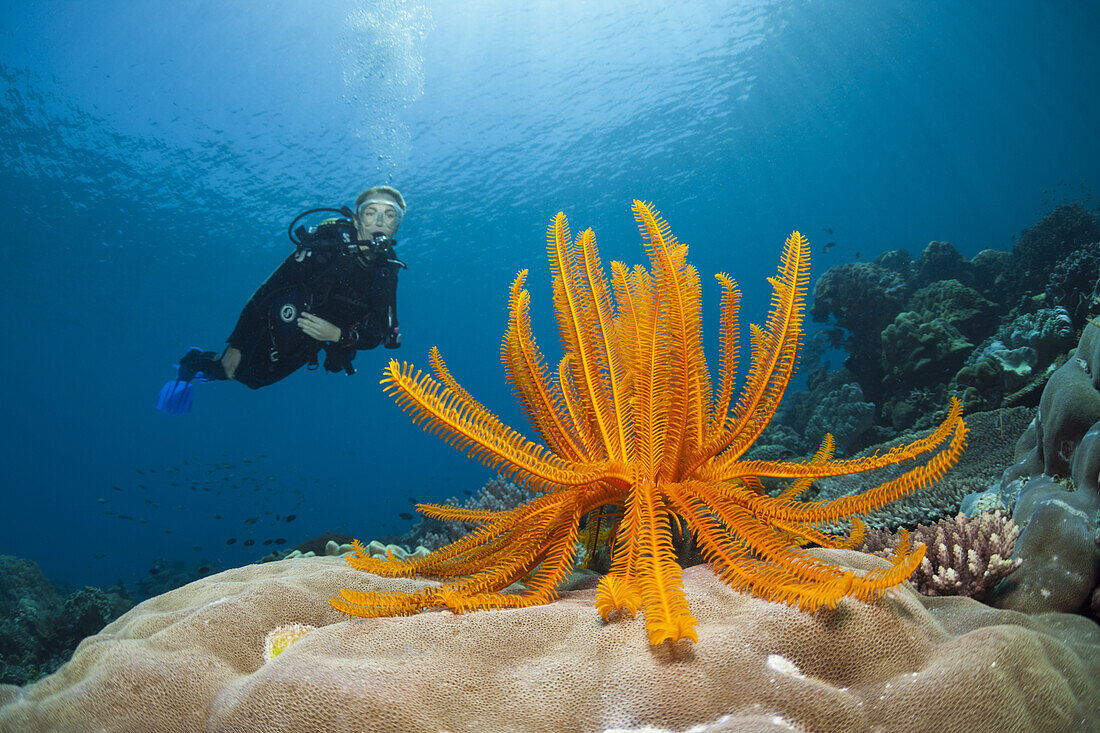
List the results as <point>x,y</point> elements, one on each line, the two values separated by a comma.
<point>193,660</point>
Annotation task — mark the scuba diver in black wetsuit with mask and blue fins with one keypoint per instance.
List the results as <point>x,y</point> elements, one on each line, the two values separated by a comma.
<point>337,292</point>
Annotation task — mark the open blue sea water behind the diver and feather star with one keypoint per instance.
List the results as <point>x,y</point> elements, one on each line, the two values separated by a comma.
<point>153,155</point>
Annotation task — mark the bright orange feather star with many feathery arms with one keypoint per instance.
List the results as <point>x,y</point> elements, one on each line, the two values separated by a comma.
<point>631,424</point>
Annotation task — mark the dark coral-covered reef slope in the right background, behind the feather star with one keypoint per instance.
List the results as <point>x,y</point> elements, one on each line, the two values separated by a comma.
<point>994,329</point>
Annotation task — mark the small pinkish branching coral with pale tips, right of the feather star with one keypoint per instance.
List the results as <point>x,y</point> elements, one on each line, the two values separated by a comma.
<point>967,556</point>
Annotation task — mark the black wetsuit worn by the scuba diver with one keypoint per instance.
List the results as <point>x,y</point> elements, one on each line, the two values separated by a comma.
<point>355,292</point>
